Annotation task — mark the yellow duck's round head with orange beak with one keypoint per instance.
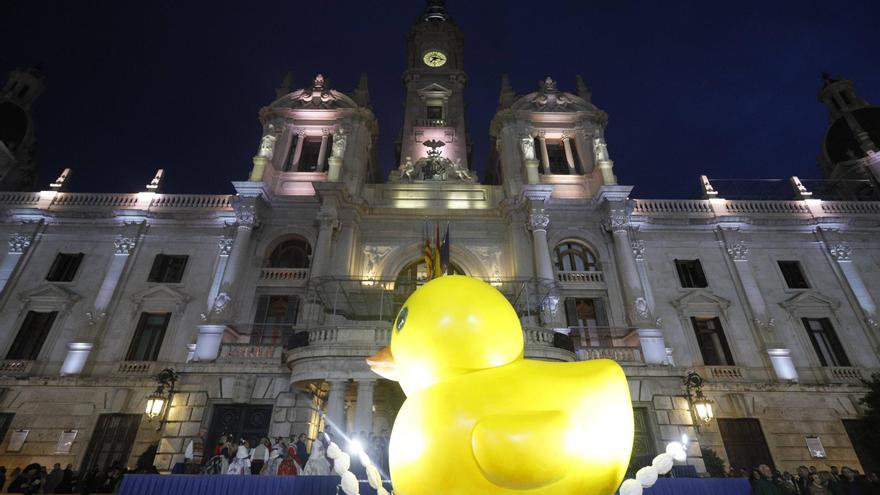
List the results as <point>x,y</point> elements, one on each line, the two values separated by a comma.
<point>450,326</point>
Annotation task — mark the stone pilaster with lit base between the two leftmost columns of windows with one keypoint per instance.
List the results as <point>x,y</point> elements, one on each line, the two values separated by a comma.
<point>78,350</point>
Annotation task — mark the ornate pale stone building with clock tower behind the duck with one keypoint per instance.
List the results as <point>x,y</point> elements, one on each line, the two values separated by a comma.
<point>267,302</point>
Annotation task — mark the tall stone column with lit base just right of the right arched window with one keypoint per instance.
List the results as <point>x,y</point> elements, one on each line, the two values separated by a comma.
<point>650,337</point>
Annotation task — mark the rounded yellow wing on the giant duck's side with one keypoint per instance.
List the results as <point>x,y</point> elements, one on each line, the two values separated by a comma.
<point>505,447</point>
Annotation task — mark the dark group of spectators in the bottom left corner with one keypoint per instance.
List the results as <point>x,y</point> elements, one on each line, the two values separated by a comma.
<point>35,478</point>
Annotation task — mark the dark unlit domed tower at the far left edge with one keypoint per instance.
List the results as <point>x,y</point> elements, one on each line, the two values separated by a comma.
<point>17,142</point>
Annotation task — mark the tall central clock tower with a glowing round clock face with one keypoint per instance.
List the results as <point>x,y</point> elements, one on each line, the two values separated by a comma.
<point>434,81</point>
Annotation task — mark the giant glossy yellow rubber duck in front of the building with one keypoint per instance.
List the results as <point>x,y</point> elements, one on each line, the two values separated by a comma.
<point>479,419</point>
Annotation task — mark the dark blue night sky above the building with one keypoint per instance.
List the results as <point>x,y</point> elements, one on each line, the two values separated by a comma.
<point>726,89</point>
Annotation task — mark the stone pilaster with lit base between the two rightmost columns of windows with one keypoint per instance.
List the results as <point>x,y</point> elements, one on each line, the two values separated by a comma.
<point>780,357</point>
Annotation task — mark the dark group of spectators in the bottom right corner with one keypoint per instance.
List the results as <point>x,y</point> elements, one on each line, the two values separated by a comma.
<point>809,481</point>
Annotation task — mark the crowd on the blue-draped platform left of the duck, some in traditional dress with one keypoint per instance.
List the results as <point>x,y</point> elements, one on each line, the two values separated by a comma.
<point>285,457</point>
